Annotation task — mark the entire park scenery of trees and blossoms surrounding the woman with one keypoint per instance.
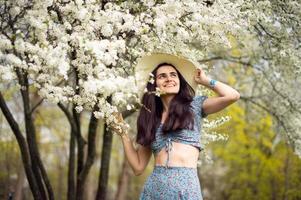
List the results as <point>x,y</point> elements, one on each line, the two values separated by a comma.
<point>66,65</point>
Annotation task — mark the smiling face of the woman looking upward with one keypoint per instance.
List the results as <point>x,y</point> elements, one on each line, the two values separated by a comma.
<point>167,80</point>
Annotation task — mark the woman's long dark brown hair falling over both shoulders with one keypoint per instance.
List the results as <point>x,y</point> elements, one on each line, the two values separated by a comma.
<point>179,117</point>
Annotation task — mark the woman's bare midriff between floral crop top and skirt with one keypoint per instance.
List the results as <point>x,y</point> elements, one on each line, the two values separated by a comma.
<point>181,155</point>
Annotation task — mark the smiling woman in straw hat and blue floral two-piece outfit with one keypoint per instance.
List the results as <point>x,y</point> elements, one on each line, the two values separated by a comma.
<point>169,126</point>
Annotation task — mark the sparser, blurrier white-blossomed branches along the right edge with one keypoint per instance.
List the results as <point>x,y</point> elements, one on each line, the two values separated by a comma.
<point>273,54</point>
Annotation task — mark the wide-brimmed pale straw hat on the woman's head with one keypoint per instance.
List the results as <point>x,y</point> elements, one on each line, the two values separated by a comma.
<point>148,63</point>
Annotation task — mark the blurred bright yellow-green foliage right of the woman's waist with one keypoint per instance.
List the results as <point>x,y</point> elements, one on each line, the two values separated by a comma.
<point>258,163</point>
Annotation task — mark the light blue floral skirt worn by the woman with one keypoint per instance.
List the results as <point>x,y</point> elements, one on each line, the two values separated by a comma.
<point>173,183</point>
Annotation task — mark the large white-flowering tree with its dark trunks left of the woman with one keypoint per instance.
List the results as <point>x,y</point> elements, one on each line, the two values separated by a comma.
<point>81,56</point>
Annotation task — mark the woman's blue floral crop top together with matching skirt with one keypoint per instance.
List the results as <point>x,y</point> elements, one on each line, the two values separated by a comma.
<point>171,182</point>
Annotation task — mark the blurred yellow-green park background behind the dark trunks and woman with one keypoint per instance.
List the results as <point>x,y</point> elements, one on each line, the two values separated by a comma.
<point>254,162</point>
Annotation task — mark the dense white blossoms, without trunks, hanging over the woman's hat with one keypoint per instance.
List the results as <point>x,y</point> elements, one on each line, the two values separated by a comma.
<point>84,52</point>
